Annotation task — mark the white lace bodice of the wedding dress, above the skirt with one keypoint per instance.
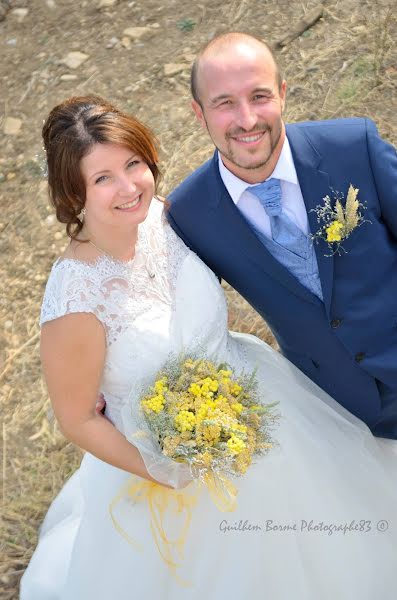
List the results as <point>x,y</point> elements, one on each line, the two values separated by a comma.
<point>163,301</point>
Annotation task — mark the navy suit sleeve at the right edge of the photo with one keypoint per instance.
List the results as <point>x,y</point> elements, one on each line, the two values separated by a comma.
<point>383,157</point>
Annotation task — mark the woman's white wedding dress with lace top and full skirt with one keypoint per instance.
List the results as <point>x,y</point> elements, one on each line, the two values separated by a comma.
<point>316,517</point>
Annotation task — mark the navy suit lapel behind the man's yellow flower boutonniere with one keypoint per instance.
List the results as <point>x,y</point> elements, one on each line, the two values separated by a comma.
<point>315,185</point>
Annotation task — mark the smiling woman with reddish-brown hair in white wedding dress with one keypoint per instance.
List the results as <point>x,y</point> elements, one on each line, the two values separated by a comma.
<point>315,517</point>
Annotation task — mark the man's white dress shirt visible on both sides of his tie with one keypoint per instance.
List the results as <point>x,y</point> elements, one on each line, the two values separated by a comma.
<point>292,202</point>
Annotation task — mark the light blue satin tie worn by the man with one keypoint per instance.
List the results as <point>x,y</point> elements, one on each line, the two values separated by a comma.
<point>284,231</point>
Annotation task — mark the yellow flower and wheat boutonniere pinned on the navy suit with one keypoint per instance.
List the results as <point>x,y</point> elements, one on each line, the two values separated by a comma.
<point>339,219</point>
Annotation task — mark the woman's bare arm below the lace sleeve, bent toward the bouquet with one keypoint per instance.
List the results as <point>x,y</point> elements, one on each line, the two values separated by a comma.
<point>73,354</point>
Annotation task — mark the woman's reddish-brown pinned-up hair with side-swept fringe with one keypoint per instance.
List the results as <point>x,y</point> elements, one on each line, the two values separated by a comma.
<point>69,133</point>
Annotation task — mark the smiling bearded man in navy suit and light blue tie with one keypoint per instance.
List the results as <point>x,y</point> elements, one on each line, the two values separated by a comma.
<point>333,315</point>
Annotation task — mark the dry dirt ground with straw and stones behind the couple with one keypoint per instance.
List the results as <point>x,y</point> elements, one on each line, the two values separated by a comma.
<point>345,64</point>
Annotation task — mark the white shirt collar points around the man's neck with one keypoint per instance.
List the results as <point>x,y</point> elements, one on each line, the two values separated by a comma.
<point>284,170</point>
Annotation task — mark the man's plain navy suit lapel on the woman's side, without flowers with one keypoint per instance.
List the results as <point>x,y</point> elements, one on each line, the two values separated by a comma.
<point>229,220</point>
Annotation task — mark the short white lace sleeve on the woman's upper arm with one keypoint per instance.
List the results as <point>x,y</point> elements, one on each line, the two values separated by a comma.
<point>71,288</point>
